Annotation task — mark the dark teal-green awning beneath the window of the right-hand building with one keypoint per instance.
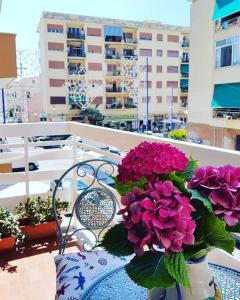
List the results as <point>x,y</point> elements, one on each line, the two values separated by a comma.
<point>226,95</point>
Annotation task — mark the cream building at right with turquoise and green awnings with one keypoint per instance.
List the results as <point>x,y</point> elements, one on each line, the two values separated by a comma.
<point>214,89</point>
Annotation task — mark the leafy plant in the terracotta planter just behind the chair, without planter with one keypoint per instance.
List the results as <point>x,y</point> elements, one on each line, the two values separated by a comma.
<point>37,210</point>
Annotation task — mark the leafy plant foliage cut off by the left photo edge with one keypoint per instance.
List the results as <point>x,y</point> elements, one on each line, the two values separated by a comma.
<point>9,226</point>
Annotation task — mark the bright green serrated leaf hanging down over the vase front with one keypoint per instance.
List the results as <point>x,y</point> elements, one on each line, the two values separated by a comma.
<point>176,266</point>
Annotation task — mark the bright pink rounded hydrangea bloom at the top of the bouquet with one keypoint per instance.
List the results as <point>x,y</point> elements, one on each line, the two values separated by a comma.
<point>149,159</point>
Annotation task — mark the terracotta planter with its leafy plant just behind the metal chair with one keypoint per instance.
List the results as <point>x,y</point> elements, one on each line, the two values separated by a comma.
<point>36,216</point>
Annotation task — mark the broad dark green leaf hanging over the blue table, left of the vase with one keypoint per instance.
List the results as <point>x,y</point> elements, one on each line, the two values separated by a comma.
<point>149,271</point>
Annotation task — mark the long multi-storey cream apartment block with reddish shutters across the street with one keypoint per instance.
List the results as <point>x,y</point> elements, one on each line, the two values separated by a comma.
<point>98,54</point>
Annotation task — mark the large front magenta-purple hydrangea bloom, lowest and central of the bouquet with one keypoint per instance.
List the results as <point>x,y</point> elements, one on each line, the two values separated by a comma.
<point>160,215</point>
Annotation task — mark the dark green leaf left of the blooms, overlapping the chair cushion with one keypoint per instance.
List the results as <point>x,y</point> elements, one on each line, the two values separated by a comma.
<point>115,241</point>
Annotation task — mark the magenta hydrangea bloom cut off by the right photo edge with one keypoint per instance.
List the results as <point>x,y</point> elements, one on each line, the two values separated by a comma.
<point>222,186</point>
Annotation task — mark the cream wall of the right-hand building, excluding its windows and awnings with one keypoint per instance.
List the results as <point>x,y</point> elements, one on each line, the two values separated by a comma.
<point>203,76</point>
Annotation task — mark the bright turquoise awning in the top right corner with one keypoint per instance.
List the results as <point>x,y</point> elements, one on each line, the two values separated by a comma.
<point>225,8</point>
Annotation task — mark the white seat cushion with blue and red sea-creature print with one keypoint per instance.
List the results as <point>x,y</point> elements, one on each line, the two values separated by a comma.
<point>75,272</point>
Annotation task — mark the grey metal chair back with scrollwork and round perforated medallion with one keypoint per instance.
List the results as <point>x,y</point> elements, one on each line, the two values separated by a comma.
<point>94,208</point>
